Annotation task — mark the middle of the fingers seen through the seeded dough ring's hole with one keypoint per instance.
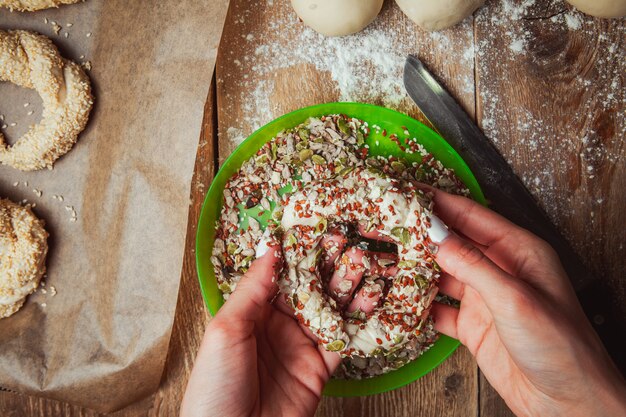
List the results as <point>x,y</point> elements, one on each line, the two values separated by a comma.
<point>347,275</point>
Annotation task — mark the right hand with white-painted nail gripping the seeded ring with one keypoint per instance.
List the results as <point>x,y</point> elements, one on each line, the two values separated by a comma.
<point>519,316</point>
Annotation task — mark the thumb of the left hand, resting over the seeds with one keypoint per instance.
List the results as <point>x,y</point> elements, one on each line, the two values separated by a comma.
<point>256,288</point>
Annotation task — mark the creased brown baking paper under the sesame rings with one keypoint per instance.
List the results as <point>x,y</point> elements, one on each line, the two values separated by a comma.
<point>101,341</point>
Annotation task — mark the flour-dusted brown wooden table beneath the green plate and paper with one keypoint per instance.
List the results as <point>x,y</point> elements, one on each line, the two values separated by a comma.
<point>546,86</point>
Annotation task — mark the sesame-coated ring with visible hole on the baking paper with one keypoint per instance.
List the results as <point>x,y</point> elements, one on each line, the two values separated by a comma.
<point>31,60</point>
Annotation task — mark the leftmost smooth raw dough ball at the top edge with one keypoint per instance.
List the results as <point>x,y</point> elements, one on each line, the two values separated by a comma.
<point>337,17</point>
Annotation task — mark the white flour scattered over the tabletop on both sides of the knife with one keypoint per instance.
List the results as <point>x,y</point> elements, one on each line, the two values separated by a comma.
<point>368,67</point>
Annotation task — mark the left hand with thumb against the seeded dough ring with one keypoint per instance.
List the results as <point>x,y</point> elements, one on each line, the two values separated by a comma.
<point>256,360</point>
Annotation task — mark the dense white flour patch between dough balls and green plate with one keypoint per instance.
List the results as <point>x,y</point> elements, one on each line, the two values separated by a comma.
<point>365,67</point>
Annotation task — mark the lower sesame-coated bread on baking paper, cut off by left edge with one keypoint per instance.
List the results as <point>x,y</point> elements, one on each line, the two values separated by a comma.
<point>23,250</point>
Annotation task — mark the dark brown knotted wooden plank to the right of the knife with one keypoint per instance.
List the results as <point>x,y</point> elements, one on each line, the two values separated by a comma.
<point>551,96</point>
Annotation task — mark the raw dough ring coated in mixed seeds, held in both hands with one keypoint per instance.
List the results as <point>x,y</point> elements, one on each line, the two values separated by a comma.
<point>395,209</point>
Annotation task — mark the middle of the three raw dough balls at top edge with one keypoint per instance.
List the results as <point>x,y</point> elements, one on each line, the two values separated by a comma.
<point>438,14</point>
